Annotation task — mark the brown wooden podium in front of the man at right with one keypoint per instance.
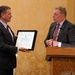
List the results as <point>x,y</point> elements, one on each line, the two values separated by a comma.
<point>63,60</point>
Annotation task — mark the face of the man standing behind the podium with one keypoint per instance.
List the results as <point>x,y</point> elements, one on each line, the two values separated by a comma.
<point>57,16</point>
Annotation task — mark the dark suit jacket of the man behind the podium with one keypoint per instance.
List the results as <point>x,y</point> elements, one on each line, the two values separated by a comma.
<point>66,34</point>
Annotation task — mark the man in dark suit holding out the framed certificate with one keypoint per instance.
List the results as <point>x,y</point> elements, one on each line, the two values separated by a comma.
<point>7,43</point>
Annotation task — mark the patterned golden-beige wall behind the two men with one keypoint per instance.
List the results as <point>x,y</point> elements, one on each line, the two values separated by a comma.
<point>35,14</point>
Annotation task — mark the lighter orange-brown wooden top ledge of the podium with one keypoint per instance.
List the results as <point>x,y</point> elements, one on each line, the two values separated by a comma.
<point>60,52</point>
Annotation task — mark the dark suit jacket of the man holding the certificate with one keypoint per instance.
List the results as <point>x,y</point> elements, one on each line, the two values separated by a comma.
<point>7,49</point>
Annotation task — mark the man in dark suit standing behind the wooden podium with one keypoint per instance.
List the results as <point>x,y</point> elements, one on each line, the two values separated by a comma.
<point>64,35</point>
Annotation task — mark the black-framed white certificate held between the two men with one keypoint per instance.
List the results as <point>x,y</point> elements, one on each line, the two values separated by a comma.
<point>26,38</point>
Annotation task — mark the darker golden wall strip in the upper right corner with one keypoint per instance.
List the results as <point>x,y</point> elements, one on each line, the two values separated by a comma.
<point>71,11</point>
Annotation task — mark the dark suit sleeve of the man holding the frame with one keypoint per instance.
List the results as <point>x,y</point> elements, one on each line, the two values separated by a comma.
<point>4,47</point>
